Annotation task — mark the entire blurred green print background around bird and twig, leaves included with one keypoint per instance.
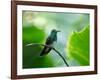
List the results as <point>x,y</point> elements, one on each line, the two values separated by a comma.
<point>72,42</point>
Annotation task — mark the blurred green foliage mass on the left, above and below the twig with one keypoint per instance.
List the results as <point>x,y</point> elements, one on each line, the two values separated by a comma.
<point>31,58</point>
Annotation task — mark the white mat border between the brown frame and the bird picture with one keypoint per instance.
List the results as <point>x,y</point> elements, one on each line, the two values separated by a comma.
<point>21,71</point>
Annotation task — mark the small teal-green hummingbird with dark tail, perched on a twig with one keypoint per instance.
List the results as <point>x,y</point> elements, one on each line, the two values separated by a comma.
<point>50,41</point>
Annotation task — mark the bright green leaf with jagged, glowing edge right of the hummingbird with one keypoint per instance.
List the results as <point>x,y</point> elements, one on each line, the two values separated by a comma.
<point>78,46</point>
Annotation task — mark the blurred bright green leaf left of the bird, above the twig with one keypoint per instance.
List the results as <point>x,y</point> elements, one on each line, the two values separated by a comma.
<point>32,34</point>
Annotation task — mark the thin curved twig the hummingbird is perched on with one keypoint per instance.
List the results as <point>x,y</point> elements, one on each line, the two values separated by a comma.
<point>38,44</point>
